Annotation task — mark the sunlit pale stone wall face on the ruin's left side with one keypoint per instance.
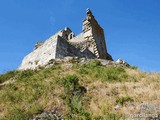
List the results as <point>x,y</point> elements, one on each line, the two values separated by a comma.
<point>41,55</point>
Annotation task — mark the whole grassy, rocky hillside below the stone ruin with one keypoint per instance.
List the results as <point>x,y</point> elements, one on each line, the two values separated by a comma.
<point>80,90</point>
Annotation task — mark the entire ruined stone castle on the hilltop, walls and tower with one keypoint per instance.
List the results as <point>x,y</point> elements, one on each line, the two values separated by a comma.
<point>89,44</point>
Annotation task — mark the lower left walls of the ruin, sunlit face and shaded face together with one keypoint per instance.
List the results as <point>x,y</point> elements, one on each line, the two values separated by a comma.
<point>56,46</point>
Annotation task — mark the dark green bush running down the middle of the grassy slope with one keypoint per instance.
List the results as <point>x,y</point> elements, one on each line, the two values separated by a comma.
<point>73,92</point>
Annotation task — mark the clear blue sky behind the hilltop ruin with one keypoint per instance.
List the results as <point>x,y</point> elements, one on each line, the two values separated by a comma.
<point>132,28</point>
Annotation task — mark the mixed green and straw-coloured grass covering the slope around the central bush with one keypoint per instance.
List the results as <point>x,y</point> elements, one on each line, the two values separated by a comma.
<point>107,98</point>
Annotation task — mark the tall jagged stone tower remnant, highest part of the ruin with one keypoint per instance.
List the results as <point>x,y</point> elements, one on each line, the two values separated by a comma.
<point>94,35</point>
